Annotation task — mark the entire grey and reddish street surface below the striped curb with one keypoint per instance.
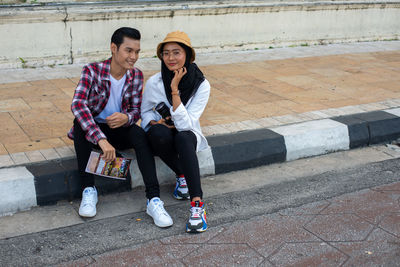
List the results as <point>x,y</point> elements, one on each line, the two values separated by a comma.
<point>271,215</point>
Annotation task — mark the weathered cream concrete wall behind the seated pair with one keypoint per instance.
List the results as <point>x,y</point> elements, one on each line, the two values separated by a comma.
<point>65,34</point>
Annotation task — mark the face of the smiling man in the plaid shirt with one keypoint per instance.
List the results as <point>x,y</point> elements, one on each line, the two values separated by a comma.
<point>127,54</point>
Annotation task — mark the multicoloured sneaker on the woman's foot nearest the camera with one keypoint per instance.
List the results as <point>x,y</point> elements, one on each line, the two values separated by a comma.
<point>197,222</point>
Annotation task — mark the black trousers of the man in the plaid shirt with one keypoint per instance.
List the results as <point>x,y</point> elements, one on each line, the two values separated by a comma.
<point>120,138</point>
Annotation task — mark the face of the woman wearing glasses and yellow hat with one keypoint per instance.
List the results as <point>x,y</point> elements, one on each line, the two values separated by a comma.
<point>174,56</point>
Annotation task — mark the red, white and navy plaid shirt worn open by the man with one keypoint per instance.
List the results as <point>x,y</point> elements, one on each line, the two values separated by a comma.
<point>92,94</point>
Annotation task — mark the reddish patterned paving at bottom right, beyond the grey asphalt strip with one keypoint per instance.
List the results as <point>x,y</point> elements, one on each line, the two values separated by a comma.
<point>342,230</point>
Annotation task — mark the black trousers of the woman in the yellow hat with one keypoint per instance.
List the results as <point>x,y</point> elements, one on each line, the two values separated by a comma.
<point>178,151</point>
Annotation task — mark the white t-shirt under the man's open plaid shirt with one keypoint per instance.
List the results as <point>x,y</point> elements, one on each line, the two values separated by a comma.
<point>115,100</point>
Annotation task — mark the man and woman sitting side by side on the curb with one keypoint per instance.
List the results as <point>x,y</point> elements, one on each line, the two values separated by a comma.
<point>108,102</point>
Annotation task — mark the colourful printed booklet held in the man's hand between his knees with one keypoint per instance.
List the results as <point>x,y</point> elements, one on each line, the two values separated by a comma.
<point>116,169</point>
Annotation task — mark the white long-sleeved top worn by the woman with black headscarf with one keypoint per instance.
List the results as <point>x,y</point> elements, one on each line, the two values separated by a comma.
<point>185,118</point>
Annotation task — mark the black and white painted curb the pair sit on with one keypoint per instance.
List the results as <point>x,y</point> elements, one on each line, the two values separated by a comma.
<point>47,183</point>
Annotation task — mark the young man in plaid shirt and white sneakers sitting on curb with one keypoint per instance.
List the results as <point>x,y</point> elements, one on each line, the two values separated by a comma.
<point>106,106</point>
